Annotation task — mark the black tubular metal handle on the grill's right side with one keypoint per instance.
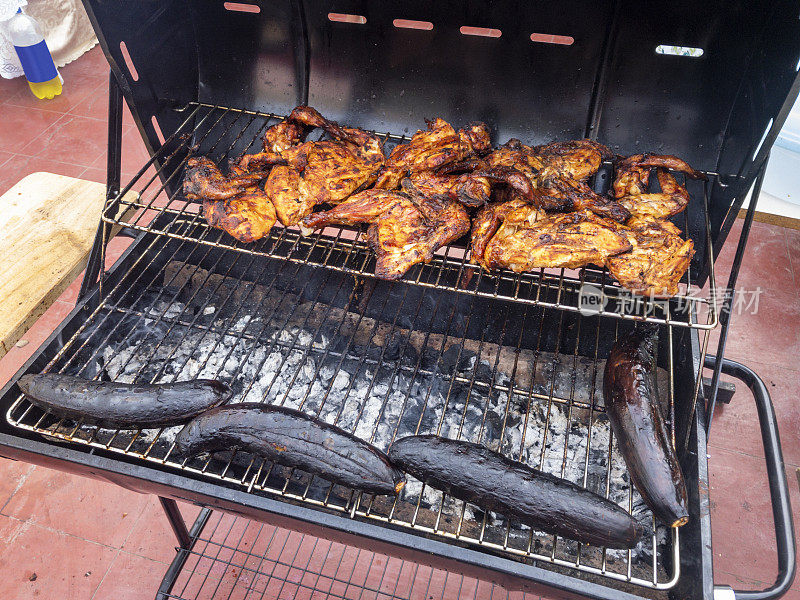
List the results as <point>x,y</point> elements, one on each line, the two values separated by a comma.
<point>778,488</point>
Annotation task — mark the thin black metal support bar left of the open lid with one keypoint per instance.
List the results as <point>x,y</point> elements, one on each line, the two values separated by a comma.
<point>96,260</point>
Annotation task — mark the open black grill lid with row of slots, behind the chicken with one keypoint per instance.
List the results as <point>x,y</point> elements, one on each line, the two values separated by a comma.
<point>354,61</point>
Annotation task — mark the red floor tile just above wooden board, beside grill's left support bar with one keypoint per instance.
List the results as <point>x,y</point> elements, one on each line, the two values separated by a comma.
<point>73,139</point>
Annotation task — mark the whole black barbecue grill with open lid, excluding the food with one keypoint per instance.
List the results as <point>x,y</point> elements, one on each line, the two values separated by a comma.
<point>514,361</point>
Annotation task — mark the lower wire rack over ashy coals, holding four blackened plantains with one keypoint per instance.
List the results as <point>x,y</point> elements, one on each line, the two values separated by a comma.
<point>382,360</point>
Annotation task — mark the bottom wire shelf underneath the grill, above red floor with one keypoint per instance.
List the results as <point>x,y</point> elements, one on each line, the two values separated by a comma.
<point>232,557</point>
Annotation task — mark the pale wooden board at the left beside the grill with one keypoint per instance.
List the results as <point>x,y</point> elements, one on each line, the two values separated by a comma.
<point>47,226</point>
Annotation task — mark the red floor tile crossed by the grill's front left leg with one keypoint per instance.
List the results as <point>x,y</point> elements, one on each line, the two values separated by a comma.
<point>152,536</point>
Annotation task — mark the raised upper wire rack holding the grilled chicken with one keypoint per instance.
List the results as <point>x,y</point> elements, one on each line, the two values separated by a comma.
<point>223,132</point>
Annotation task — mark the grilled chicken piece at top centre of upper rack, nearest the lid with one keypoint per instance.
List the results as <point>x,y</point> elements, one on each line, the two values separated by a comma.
<point>428,150</point>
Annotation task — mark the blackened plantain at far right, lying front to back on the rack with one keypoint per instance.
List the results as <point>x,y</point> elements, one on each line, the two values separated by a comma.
<point>637,422</point>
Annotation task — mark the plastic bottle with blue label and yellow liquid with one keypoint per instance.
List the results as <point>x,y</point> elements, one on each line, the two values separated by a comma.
<point>40,70</point>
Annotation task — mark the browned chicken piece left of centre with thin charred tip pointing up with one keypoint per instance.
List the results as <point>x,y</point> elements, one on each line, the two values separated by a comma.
<point>323,172</point>
